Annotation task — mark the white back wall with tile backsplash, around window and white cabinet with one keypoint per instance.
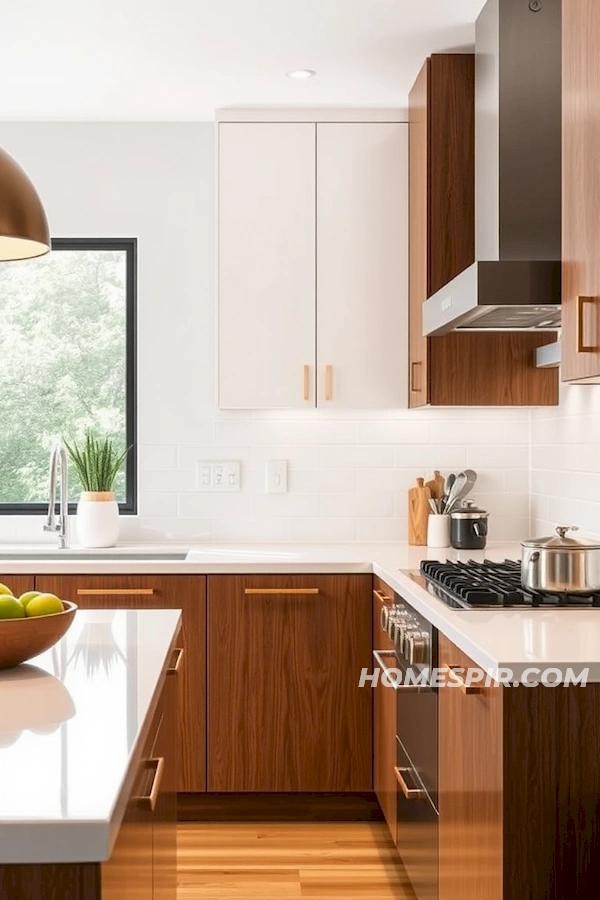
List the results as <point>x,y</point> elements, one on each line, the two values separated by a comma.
<point>348,472</point>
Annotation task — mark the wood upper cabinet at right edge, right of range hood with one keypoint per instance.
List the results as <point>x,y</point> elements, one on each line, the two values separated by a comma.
<point>581,191</point>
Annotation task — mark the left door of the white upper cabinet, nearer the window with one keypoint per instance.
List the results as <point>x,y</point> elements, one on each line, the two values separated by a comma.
<point>266,222</point>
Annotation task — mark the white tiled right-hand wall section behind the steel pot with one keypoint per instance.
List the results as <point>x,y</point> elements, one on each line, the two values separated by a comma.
<point>565,462</point>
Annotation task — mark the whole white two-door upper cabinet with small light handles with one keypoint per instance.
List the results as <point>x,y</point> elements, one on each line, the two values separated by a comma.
<point>312,264</point>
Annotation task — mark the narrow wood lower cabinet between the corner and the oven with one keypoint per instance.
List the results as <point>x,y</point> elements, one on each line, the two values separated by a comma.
<point>384,715</point>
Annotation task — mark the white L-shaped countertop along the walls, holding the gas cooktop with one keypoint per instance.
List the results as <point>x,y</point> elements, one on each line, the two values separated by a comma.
<point>511,638</point>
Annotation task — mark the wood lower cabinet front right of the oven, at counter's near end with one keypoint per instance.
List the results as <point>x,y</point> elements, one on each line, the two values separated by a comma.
<point>470,787</point>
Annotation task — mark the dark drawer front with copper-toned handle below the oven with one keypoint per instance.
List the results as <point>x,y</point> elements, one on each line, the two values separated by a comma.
<point>417,829</point>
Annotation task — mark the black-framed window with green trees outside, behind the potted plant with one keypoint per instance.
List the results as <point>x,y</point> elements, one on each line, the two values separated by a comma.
<point>67,364</point>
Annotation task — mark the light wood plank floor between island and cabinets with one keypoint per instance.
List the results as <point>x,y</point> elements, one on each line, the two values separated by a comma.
<point>282,861</point>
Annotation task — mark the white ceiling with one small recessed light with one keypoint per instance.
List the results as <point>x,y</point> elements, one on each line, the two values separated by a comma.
<point>181,59</point>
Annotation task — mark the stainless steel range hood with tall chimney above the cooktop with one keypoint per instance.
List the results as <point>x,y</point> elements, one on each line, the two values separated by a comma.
<point>515,282</point>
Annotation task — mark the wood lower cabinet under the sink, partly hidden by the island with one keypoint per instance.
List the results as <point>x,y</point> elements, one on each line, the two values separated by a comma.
<point>185,592</point>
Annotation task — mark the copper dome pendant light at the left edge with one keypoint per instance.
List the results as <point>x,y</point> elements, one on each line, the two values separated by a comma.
<point>23,225</point>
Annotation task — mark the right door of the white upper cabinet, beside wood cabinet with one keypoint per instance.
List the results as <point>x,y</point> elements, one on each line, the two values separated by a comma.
<point>362,266</point>
